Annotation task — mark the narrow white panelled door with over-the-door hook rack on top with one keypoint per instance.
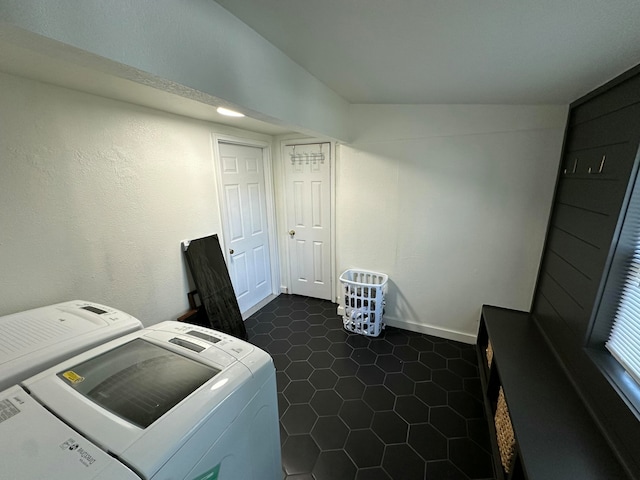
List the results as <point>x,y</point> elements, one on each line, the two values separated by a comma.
<point>308,198</point>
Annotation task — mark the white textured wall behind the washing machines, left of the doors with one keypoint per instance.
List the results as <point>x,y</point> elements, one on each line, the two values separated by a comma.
<point>95,197</point>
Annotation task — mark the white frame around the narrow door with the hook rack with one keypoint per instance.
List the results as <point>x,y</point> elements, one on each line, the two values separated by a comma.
<point>333,161</point>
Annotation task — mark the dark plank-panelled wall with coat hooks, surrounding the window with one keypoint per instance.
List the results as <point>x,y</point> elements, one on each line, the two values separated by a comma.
<point>597,174</point>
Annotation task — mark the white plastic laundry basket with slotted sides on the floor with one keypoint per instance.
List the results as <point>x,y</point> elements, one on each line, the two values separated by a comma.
<point>363,293</point>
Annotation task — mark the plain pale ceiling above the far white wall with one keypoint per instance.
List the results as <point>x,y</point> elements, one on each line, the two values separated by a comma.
<point>452,51</point>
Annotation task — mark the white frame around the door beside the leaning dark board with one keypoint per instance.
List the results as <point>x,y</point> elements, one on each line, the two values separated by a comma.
<point>216,140</point>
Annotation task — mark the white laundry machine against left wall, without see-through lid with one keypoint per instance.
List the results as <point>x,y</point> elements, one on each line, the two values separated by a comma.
<point>37,339</point>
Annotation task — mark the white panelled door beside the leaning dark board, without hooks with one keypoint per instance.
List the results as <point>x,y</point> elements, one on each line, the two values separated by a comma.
<point>244,212</point>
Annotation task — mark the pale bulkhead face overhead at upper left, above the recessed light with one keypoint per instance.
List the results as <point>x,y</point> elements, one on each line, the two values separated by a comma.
<point>172,44</point>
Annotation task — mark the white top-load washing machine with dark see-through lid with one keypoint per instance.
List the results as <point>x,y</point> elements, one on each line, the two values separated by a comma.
<point>171,401</point>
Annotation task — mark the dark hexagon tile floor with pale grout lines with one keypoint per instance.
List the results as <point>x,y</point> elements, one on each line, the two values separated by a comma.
<point>403,406</point>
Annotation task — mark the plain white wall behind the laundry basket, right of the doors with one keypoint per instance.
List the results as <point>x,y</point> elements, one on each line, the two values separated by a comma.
<point>452,203</point>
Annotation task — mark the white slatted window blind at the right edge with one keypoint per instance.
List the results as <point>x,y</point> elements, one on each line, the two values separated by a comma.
<point>624,338</point>
